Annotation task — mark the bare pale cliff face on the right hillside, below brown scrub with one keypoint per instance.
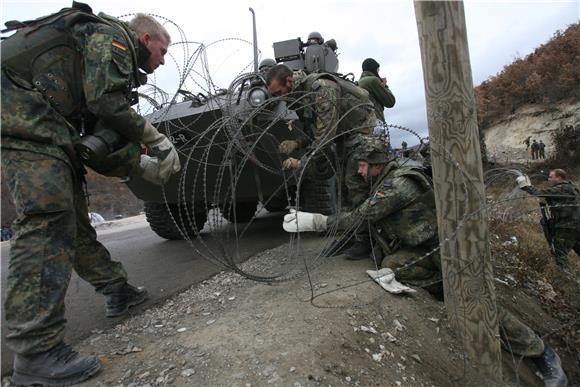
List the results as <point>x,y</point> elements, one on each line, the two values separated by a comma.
<point>505,139</point>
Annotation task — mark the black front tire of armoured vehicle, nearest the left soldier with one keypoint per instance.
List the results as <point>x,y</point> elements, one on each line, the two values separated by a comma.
<point>163,224</point>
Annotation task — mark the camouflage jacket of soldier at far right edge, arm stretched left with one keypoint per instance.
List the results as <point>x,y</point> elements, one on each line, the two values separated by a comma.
<point>563,200</point>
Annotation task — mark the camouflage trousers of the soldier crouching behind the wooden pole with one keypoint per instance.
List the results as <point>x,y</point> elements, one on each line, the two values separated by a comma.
<point>516,337</point>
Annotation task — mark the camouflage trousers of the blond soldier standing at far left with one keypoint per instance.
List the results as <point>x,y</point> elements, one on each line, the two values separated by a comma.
<point>53,236</point>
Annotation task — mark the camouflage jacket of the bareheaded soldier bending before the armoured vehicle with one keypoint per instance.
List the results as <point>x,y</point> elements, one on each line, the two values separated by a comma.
<point>330,109</point>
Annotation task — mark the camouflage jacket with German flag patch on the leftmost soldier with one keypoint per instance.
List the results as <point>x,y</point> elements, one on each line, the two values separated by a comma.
<point>69,88</point>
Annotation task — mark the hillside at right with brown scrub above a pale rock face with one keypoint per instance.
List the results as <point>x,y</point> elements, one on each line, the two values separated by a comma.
<point>532,97</point>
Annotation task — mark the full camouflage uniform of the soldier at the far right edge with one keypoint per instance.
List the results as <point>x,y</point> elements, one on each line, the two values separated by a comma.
<point>563,201</point>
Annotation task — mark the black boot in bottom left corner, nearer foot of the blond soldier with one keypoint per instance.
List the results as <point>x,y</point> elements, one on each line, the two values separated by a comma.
<point>59,366</point>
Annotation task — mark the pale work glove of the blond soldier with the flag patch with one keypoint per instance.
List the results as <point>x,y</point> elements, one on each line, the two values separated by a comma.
<point>163,149</point>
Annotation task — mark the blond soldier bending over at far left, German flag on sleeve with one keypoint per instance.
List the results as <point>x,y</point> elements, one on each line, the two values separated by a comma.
<point>65,75</point>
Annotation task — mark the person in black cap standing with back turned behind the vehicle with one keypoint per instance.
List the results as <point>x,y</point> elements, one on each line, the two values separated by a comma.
<point>379,93</point>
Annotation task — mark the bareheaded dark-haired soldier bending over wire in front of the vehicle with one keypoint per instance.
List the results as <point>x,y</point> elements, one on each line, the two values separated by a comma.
<point>333,110</point>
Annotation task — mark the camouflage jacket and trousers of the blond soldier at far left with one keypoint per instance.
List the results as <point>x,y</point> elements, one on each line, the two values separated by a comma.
<point>44,108</point>
